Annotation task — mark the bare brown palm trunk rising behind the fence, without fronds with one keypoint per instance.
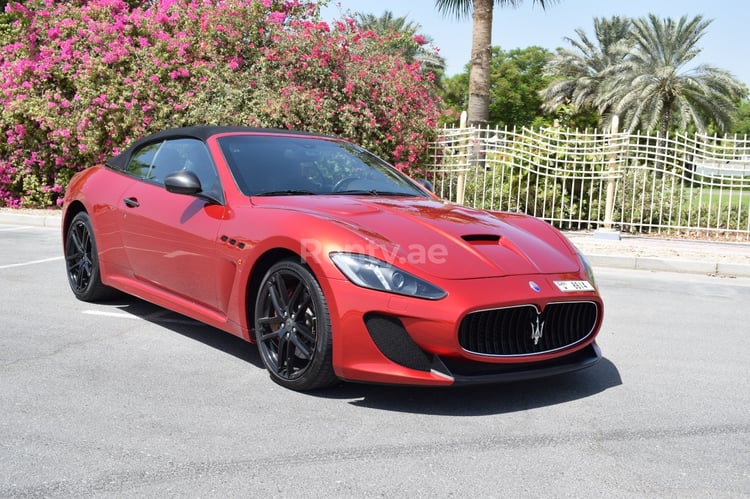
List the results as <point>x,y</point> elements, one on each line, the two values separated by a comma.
<point>481,54</point>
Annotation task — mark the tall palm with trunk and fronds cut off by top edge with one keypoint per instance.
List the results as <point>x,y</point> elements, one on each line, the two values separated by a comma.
<point>481,49</point>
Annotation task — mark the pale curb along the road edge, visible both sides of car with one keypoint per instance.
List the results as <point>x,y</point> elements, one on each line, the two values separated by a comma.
<point>54,220</point>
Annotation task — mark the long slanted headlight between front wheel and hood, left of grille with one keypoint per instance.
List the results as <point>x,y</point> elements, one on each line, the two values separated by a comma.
<point>369,272</point>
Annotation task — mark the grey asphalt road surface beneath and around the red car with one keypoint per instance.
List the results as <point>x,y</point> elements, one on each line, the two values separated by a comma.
<point>128,400</point>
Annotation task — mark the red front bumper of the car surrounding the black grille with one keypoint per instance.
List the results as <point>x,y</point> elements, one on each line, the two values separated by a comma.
<point>384,338</point>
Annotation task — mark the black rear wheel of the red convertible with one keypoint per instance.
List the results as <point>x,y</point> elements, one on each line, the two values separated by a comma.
<point>82,261</point>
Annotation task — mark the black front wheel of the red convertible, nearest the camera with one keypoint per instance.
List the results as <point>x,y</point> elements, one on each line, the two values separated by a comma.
<point>293,328</point>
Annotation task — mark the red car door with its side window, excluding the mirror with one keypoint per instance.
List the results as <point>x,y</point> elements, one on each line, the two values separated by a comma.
<point>171,239</point>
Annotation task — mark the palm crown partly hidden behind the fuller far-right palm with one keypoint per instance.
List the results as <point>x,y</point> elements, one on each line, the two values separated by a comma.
<point>581,71</point>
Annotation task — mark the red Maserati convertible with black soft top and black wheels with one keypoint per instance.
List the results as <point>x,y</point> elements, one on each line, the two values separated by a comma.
<point>337,265</point>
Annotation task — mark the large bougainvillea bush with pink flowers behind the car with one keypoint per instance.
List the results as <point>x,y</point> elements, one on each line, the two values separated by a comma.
<point>82,79</point>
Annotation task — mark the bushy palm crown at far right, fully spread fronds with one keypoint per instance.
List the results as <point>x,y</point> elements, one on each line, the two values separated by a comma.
<point>651,89</point>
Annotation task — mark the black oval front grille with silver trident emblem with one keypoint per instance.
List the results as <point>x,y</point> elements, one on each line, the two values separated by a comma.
<point>523,330</point>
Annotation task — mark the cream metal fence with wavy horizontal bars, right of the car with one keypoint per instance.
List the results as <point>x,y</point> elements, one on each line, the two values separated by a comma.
<point>579,180</point>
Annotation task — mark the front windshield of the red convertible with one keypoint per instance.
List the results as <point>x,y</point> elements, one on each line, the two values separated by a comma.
<point>274,165</point>
